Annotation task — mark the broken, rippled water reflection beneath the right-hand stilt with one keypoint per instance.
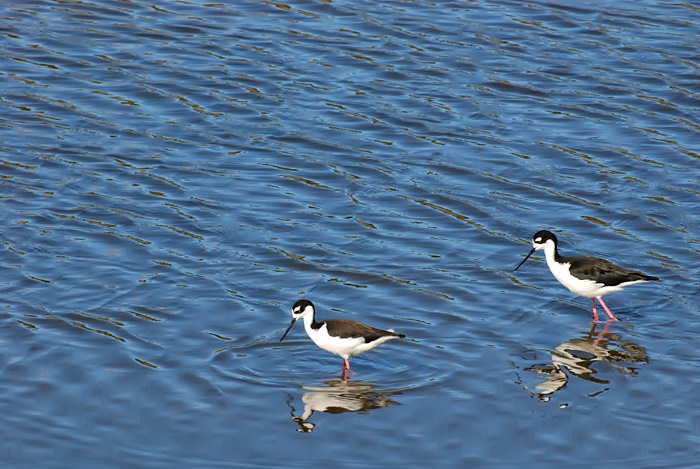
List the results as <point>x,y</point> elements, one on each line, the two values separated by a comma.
<point>577,357</point>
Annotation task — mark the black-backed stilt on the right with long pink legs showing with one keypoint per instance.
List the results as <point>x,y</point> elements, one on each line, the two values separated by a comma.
<point>590,277</point>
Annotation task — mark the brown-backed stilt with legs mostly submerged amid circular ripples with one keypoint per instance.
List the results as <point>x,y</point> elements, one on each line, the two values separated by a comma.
<point>341,337</point>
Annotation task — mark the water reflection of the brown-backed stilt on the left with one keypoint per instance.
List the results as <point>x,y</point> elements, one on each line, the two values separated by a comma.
<point>337,397</point>
